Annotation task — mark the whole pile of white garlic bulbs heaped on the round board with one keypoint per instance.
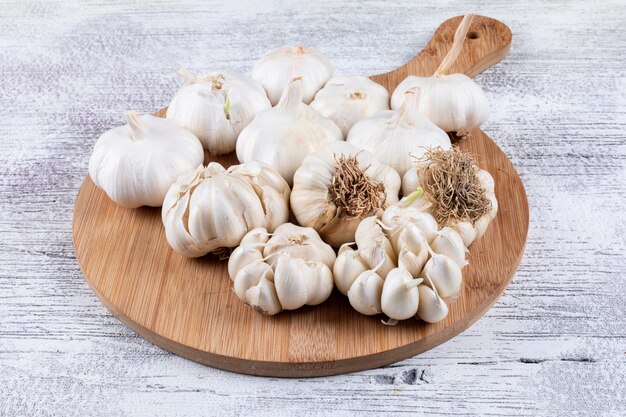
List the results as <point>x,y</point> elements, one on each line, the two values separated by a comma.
<point>347,156</point>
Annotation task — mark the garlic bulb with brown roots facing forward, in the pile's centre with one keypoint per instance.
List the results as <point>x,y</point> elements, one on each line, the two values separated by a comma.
<point>337,186</point>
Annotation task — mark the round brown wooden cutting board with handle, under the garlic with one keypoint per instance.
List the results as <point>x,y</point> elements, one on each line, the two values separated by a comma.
<point>187,306</point>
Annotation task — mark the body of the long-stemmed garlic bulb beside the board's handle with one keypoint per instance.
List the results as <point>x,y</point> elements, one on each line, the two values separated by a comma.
<point>453,102</point>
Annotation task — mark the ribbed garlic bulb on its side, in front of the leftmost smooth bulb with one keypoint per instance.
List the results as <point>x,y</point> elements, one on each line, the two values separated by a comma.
<point>211,208</point>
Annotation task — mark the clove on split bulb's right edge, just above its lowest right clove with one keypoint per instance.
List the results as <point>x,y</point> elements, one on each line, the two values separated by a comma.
<point>444,274</point>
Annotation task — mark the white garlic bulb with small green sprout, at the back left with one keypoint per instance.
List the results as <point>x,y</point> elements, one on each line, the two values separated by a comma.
<point>216,107</point>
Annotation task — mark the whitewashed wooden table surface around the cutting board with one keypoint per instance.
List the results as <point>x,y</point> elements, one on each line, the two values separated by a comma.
<point>554,344</point>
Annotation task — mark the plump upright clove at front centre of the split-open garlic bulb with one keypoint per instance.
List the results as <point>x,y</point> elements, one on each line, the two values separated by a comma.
<point>399,297</point>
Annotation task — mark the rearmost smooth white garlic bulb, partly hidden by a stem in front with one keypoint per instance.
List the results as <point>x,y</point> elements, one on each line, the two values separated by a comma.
<point>275,70</point>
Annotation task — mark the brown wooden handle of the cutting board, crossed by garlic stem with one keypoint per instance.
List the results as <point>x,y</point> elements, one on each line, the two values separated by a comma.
<point>488,41</point>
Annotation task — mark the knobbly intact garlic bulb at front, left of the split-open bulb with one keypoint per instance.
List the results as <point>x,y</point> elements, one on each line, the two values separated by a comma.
<point>282,272</point>
